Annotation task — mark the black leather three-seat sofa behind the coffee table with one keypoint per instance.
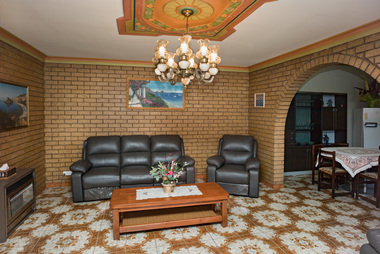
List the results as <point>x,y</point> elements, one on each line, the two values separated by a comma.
<point>111,162</point>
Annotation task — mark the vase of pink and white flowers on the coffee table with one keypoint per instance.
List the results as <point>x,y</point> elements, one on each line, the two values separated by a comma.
<point>169,173</point>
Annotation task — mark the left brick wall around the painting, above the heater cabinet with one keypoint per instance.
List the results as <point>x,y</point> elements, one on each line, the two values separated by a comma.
<point>24,147</point>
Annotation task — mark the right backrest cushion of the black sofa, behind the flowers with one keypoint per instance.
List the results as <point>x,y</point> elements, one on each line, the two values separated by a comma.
<point>165,148</point>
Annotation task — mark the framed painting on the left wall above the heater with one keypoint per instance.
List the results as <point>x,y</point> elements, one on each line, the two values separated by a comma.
<point>14,106</point>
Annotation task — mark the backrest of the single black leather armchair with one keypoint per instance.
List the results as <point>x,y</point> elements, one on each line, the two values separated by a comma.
<point>237,149</point>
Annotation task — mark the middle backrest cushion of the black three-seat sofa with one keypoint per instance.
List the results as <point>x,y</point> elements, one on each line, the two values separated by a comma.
<point>135,150</point>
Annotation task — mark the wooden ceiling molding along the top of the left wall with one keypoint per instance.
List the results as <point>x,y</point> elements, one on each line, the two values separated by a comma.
<point>16,42</point>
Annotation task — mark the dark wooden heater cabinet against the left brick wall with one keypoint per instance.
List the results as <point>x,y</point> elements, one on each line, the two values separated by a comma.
<point>17,200</point>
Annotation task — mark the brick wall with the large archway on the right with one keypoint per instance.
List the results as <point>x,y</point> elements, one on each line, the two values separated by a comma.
<point>282,81</point>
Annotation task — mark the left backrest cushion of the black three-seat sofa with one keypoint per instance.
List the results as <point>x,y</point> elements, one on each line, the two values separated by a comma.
<point>103,151</point>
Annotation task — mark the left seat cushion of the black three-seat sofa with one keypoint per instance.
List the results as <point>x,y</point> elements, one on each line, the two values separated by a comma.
<point>101,177</point>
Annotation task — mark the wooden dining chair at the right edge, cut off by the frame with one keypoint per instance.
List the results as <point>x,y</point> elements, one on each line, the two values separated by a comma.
<point>373,178</point>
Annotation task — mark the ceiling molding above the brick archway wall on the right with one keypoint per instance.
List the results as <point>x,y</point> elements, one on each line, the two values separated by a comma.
<point>356,33</point>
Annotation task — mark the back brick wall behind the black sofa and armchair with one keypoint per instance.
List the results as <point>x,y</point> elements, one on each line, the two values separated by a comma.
<point>90,100</point>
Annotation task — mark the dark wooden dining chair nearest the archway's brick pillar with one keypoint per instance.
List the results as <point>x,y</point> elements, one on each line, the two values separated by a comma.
<point>333,171</point>
